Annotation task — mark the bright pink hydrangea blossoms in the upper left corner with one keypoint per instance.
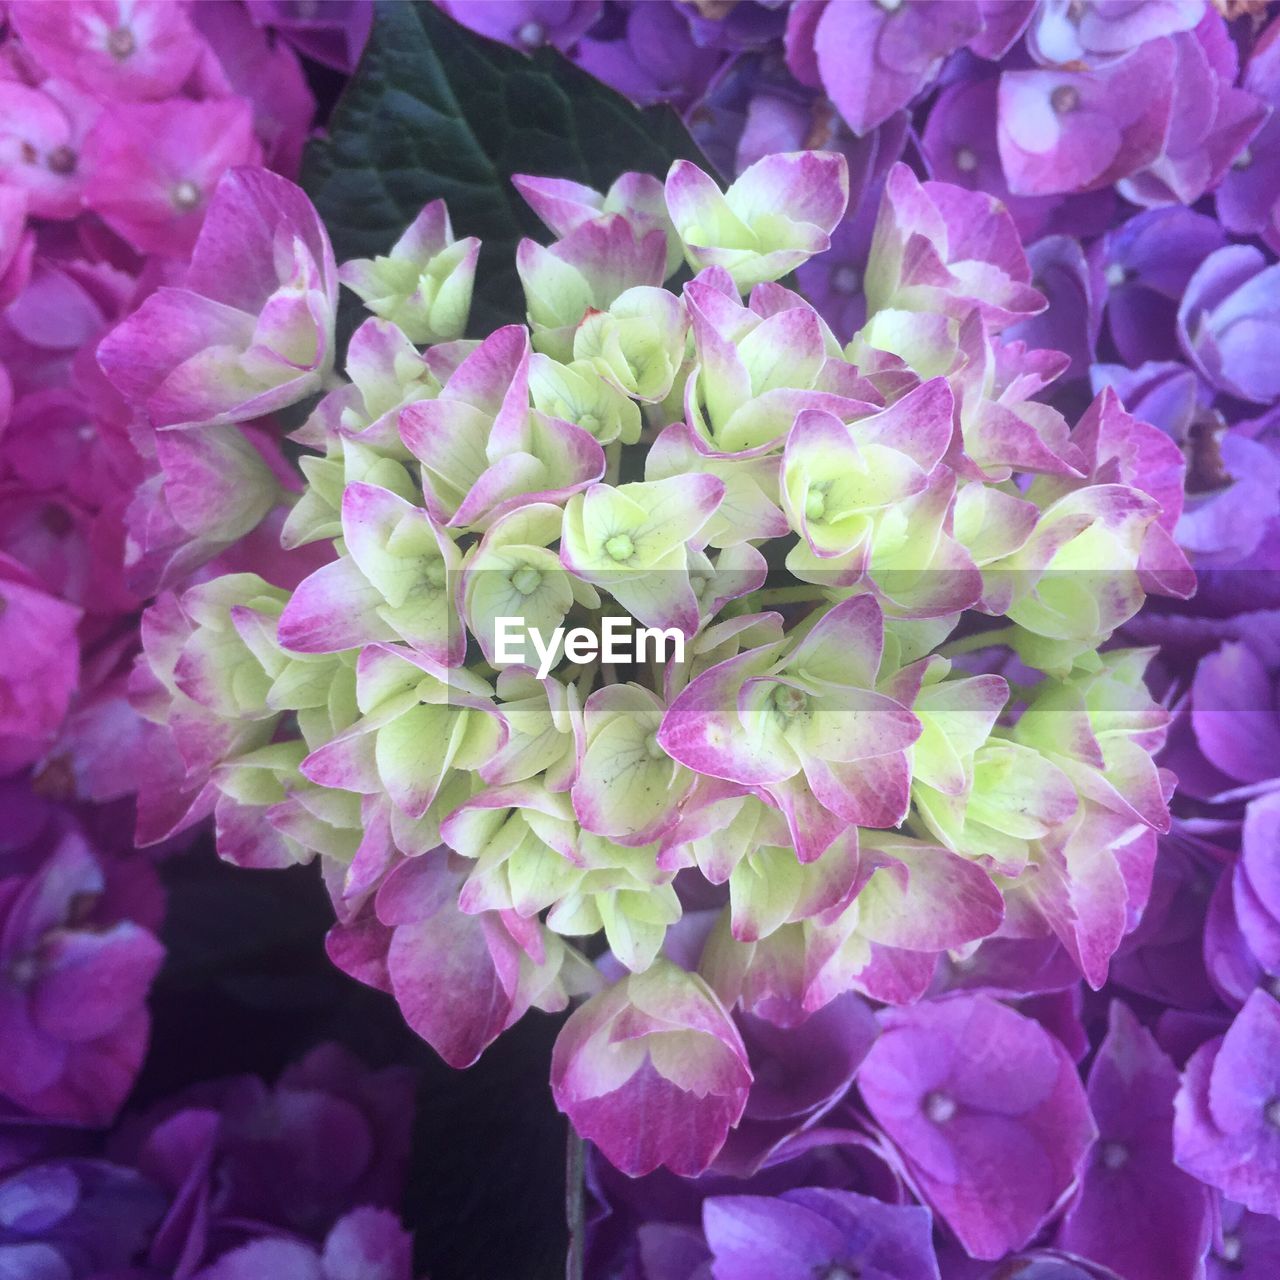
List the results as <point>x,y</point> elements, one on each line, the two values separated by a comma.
<point>117,120</point>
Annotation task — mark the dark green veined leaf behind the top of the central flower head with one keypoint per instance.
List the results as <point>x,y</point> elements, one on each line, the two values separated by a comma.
<point>438,112</point>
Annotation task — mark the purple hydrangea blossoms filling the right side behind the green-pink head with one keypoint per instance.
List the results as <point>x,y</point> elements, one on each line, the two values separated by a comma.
<point>1133,1132</point>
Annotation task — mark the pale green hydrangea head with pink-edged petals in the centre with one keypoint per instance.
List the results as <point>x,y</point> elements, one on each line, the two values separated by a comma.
<point>872,715</point>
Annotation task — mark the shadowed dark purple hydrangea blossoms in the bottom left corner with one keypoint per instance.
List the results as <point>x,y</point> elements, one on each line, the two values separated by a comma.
<point>209,1185</point>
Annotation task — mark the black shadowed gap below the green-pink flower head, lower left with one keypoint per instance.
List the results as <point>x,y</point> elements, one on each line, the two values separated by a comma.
<point>248,989</point>
